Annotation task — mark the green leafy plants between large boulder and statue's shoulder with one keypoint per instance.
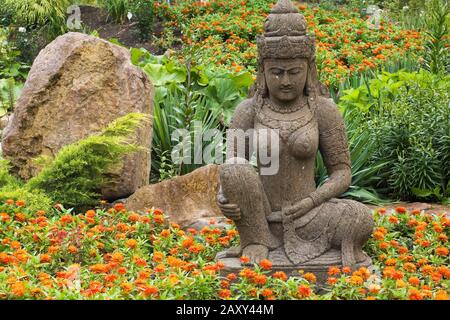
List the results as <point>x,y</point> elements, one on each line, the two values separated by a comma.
<point>189,97</point>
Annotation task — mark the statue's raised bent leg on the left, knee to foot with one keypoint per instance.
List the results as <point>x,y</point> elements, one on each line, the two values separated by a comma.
<point>241,185</point>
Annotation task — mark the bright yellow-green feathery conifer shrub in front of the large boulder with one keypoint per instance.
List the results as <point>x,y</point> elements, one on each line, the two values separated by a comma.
<point>79,170</point>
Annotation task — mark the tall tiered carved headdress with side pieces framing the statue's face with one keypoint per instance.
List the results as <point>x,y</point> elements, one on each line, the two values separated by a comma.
<point>285,37</point>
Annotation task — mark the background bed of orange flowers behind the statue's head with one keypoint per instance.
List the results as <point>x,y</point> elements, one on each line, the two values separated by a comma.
<point>346,43</point>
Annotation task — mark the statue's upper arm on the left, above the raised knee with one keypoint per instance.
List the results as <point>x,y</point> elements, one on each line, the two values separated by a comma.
<point>242,120</point>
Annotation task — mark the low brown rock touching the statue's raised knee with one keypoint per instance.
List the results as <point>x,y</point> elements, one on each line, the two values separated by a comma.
<point>188,200</point>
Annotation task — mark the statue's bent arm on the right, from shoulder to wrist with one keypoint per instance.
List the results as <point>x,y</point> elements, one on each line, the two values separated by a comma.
<point>333,146</point>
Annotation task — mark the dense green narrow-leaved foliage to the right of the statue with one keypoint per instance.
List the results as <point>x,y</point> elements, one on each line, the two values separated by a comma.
<point>407,115</point>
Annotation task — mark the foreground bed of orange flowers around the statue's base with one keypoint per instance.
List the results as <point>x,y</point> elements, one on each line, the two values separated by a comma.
<point>116,254</point>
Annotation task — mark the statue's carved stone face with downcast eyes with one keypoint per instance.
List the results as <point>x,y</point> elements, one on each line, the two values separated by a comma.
<point>285,78</point>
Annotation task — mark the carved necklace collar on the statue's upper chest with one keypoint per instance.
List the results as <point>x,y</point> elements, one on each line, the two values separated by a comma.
<point>288,126</point>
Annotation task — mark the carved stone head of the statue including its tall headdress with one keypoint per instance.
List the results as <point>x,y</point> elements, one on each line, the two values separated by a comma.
<point>286,57</point>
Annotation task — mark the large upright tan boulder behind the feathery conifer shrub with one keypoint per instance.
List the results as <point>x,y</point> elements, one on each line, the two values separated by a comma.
<point>77,85</point>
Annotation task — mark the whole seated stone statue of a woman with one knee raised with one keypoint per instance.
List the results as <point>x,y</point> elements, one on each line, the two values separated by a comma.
<point>284,217</point>
